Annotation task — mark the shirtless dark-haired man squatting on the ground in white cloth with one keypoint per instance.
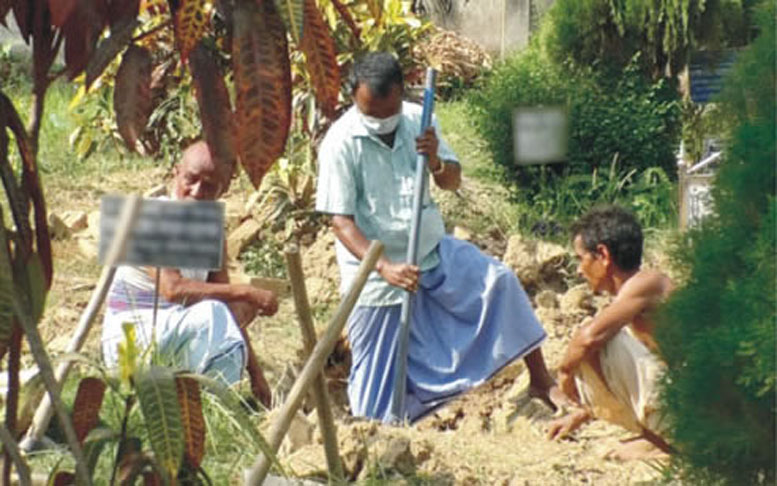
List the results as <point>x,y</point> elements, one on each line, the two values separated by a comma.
<point>609,370</point>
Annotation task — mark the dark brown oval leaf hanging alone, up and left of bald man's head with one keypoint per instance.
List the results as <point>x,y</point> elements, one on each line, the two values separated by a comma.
<point>132,95</point>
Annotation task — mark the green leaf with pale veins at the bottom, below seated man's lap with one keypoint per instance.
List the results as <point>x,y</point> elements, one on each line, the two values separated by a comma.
<point>158,397</point>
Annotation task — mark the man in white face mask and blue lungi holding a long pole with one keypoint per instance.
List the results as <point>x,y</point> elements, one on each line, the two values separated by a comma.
<point>470,315</point>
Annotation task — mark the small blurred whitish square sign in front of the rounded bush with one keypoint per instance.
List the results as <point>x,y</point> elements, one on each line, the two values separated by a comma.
<point>540,135</point>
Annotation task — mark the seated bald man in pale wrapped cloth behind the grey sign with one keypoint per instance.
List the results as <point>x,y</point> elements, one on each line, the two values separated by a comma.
<point>201,316</point>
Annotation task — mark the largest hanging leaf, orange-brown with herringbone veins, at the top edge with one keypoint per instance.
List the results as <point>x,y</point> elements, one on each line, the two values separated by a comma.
<point>260,60</point>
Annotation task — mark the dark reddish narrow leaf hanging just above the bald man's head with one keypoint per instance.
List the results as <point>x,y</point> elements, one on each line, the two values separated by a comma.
<point>215,110</point>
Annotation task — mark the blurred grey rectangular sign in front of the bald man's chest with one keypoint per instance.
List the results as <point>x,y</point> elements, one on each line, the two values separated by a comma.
<point>174,234</point>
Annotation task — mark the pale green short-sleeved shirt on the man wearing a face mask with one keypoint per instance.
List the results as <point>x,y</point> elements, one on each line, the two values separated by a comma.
<point>360,176</point>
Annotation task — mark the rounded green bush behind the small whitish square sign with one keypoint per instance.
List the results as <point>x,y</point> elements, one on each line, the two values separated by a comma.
<point>623,131</point>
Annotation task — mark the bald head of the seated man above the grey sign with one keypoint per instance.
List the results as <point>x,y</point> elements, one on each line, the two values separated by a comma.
<point>197,176</point>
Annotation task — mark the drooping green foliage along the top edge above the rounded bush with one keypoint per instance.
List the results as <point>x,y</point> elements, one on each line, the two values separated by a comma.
<point>609,33</point>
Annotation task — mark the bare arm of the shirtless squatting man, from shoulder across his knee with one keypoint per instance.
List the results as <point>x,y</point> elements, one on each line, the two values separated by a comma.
<point>640,294</point>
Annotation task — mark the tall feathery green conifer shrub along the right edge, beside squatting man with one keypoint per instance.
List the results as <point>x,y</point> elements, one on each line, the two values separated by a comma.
<point>717,332</point>
